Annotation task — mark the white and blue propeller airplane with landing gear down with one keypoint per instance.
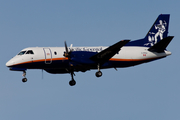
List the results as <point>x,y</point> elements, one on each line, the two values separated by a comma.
<point>125,53</point>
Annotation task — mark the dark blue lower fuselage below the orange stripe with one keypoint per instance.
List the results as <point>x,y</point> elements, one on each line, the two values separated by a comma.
<point>64,64</point>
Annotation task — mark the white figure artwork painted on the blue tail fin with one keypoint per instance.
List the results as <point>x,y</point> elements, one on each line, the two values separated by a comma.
<point>153,37</point>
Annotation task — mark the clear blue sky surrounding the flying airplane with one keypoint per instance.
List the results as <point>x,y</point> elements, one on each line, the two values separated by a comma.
<point>145,92</point>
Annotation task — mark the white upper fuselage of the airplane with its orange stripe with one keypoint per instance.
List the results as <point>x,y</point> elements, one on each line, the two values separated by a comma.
<point>48,55</point>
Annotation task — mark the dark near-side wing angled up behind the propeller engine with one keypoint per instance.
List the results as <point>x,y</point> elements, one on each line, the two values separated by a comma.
<point>109,52</point>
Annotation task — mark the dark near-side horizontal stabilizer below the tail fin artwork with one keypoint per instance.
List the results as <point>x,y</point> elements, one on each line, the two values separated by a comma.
<point>161,45</point>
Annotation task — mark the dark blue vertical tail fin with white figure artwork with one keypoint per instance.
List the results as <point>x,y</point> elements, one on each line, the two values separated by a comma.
<point>158,31</point>
